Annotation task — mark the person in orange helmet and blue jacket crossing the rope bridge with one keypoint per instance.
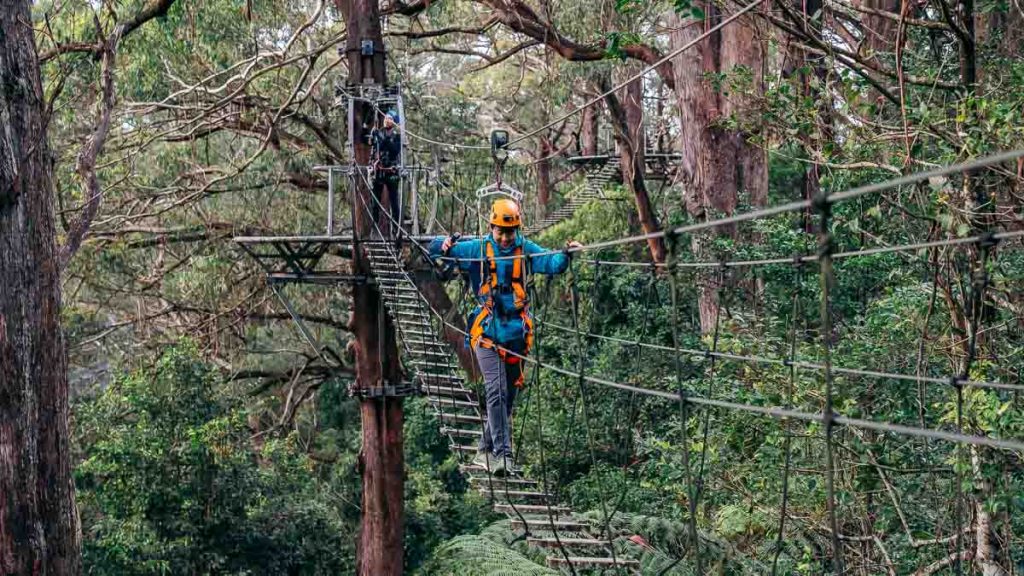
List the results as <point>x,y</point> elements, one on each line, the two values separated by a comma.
<point>498,268</point>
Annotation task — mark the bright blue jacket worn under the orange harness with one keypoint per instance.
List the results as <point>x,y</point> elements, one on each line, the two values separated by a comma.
<point>509,333</point>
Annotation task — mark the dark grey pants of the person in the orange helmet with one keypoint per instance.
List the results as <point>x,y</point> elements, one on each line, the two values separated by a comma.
<point>500,392</point>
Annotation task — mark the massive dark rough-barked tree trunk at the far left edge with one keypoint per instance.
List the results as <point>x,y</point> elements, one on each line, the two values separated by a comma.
<point>39,525</point>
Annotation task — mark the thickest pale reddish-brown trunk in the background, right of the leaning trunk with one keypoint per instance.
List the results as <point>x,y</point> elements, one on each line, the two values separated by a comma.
<point>718,167</point>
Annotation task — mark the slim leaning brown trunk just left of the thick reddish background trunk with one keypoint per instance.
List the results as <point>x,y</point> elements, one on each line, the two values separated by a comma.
<point>627,120</point>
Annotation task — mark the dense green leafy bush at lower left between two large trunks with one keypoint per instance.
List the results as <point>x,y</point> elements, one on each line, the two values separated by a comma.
<point>172,482</point>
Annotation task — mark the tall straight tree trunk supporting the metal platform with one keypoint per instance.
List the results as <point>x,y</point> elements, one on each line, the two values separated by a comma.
<point>380,548</point>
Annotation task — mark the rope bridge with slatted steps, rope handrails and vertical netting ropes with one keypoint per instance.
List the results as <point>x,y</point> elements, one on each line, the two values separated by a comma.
<point>533,504</point>
